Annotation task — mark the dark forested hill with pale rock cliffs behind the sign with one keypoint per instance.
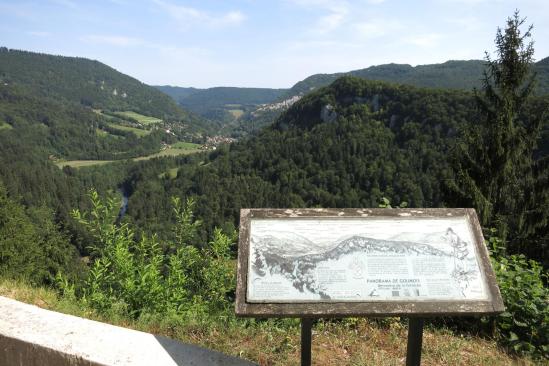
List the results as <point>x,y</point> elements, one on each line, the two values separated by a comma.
<point>346,145</point>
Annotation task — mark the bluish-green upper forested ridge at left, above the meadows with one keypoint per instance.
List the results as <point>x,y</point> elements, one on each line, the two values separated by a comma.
<point>89,83</point>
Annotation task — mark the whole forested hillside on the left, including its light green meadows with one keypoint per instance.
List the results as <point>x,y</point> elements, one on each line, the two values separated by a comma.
<point>54,109</point>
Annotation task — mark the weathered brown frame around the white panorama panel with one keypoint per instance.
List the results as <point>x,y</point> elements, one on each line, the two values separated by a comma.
<point>424,308</point>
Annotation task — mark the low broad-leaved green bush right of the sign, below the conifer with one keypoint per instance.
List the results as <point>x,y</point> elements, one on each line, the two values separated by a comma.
<point>524,326</point>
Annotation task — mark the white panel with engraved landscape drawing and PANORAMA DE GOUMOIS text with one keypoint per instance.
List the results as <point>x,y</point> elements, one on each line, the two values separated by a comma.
<point>362,259</point>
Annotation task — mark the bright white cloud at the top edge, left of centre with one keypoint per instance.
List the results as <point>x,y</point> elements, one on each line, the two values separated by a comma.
<point>189,16</point>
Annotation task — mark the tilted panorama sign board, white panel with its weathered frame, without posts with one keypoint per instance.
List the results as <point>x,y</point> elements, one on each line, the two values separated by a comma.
<point>363,262</point>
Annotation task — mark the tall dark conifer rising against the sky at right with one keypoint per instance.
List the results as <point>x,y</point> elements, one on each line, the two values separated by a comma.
<point>495,166</point>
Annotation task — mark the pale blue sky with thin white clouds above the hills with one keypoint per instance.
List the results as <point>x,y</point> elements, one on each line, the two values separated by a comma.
<point>261,43</point>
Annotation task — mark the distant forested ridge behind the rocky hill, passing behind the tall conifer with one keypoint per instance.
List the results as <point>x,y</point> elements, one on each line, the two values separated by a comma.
<point>453,74</point>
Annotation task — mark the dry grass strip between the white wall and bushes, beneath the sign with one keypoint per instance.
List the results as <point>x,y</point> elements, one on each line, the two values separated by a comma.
<point>277,342</point>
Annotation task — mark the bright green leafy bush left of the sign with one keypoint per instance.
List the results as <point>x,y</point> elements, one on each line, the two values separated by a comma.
<point>145,277</point>
